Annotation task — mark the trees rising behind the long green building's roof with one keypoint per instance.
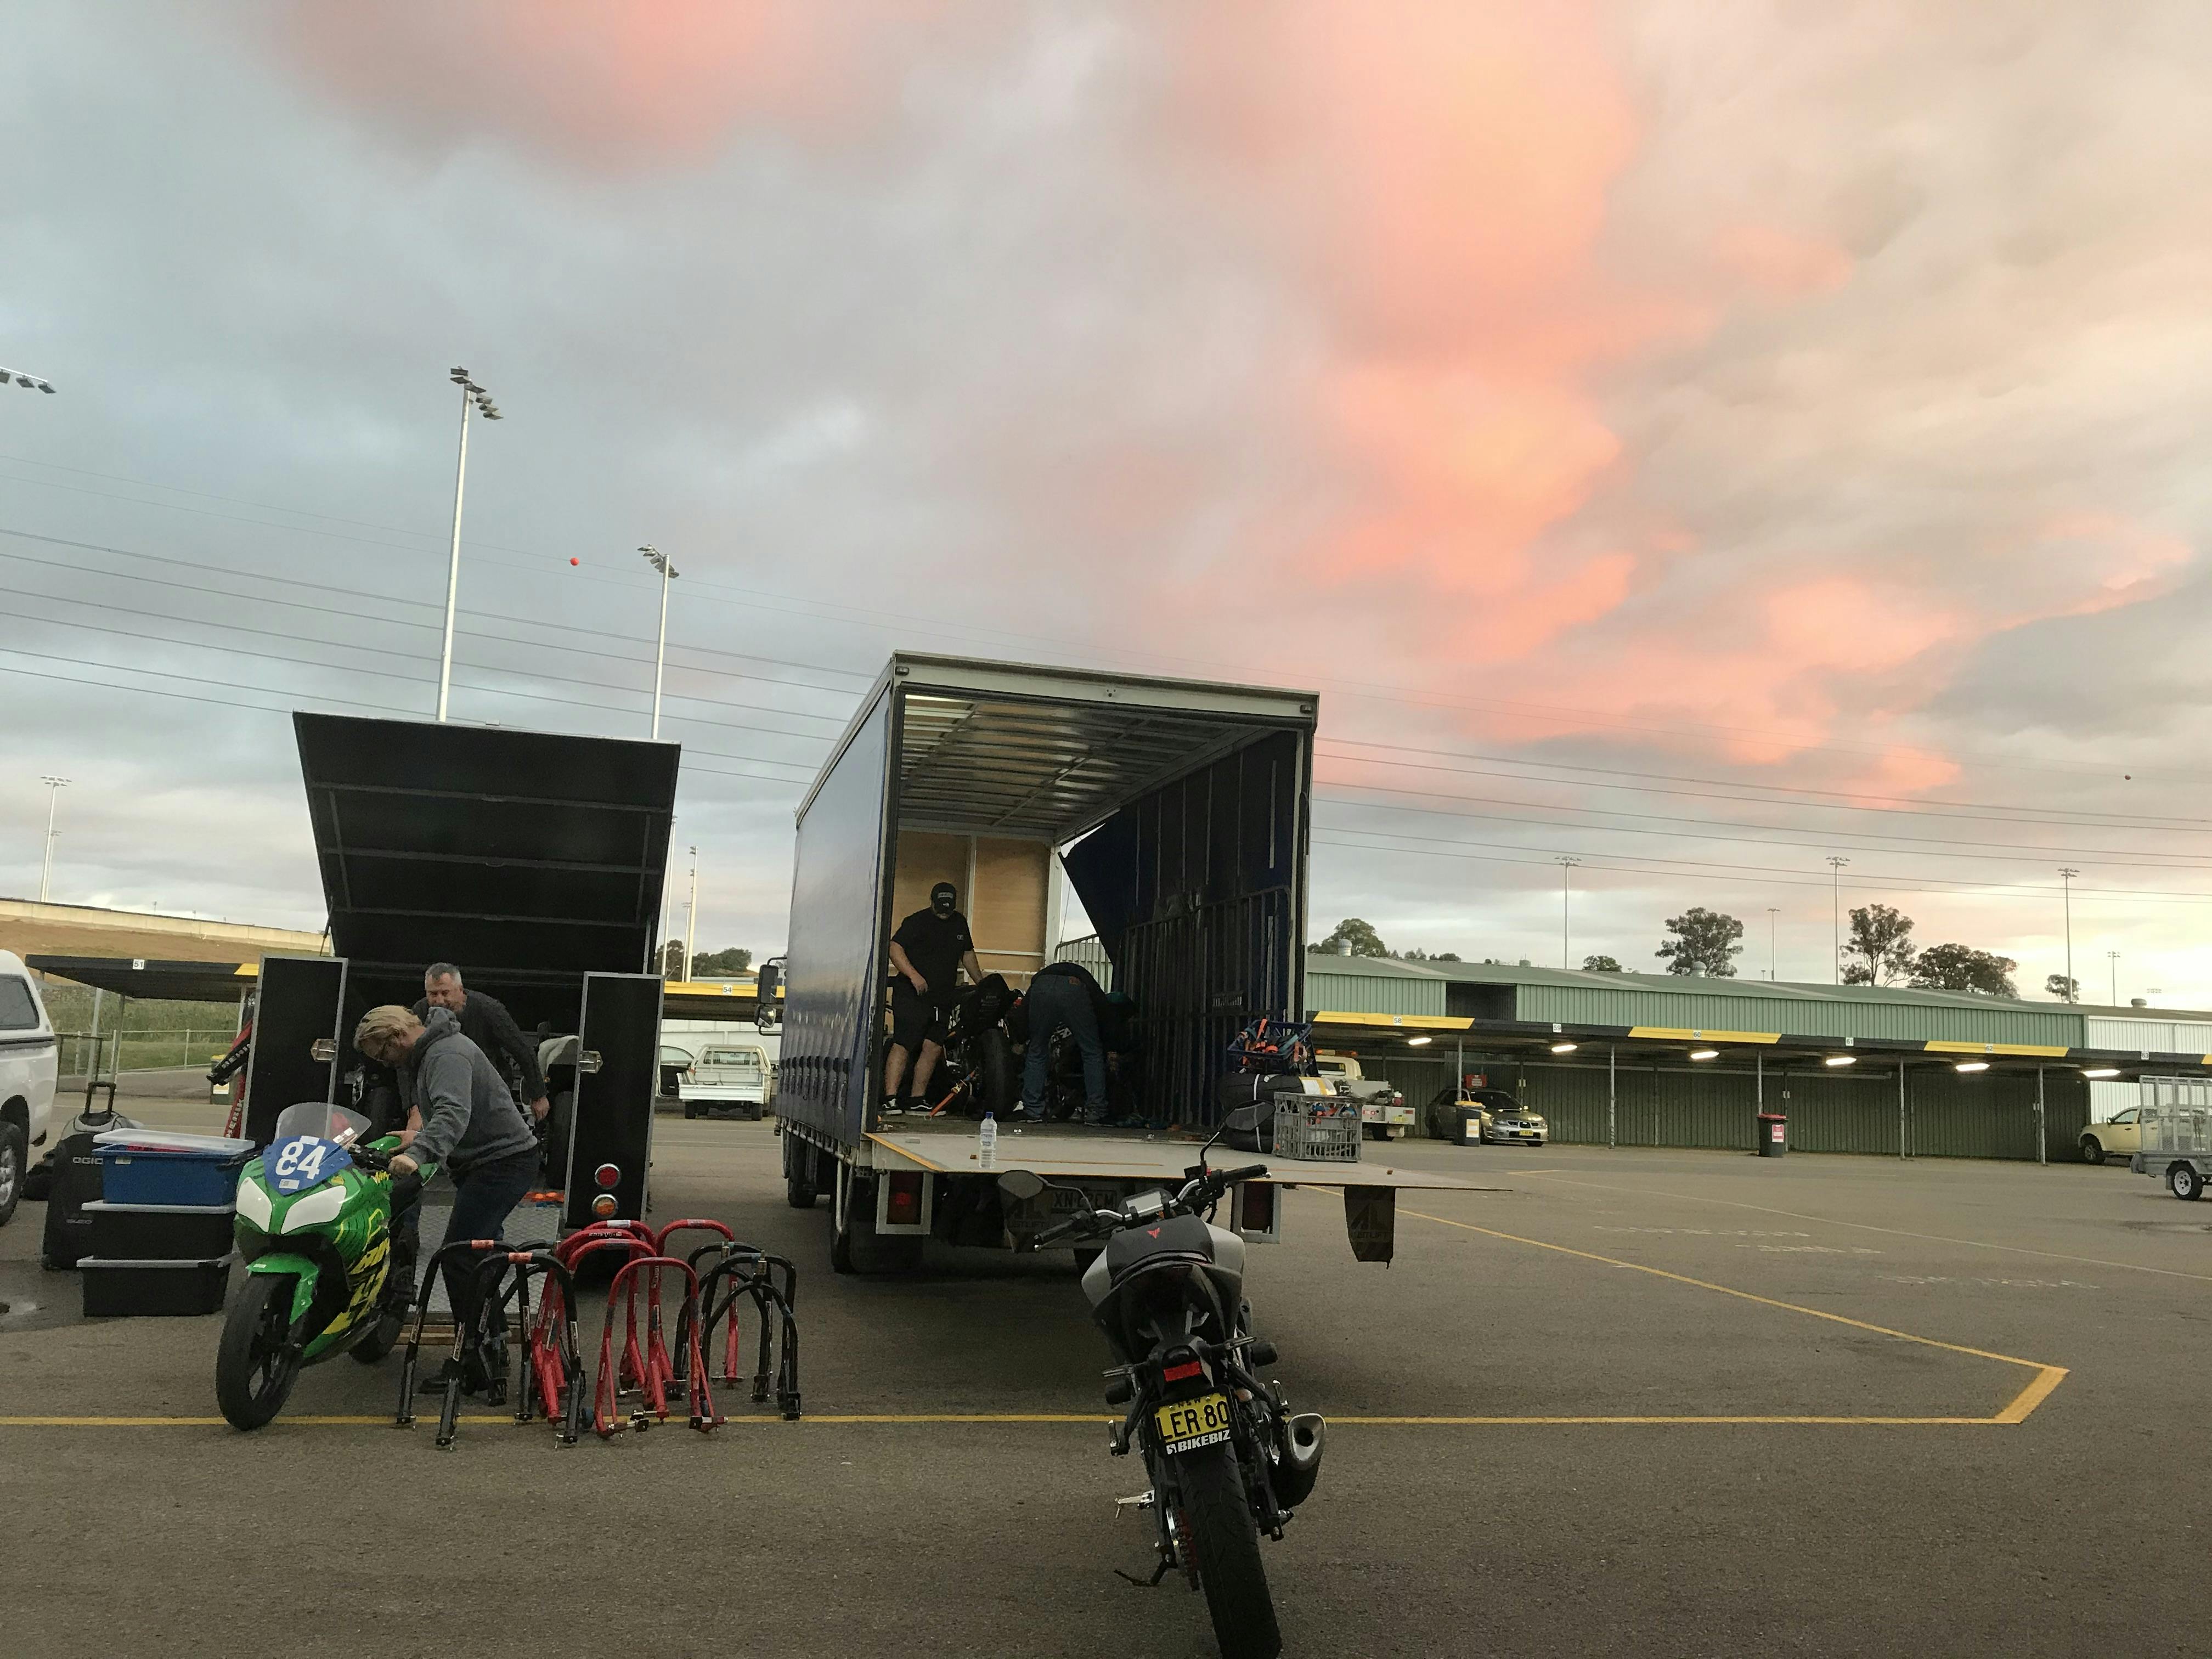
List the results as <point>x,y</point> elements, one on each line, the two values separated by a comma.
<point>1707,943</point>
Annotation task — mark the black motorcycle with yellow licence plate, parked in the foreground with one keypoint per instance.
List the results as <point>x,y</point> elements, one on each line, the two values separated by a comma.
<point>1222,1448</point>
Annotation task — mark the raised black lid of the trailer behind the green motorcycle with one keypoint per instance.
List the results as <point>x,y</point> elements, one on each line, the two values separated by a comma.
<point>530,859</point>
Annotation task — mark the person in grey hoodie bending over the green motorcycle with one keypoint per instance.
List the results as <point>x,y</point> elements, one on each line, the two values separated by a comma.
<point>470,1125</point>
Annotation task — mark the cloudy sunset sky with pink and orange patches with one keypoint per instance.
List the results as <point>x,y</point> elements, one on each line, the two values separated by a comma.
<point>1698,439</point>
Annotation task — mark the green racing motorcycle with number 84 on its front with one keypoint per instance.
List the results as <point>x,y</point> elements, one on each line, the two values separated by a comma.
<point>315,1231</point>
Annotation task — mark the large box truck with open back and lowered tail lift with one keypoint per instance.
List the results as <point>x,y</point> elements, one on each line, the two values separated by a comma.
<point>1178,813</point>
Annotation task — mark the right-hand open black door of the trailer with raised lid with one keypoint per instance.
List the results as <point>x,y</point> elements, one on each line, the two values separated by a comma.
<point>616,1083</point>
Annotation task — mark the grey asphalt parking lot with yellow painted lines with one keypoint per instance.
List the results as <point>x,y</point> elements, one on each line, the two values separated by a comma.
<point>1614,1404</point>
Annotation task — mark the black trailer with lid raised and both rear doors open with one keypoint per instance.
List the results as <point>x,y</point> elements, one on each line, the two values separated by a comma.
<point>530,859</point>
